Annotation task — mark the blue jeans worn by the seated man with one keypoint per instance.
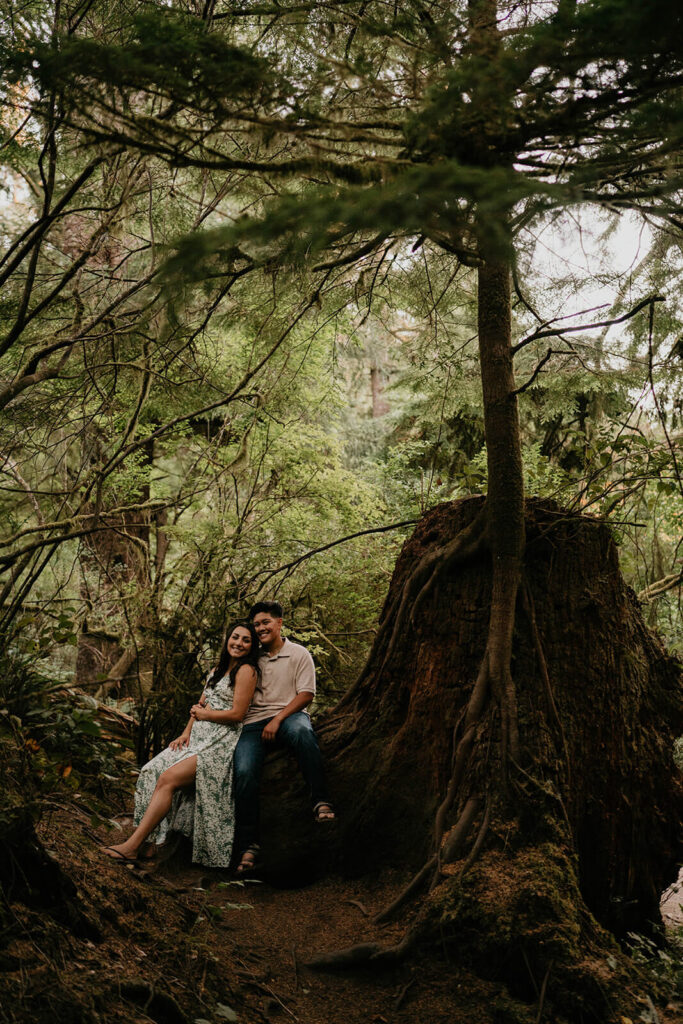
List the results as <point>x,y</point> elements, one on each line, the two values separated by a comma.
<point>297,735</point>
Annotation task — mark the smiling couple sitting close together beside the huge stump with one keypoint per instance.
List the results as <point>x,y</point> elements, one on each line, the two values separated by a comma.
<point>253,700</point>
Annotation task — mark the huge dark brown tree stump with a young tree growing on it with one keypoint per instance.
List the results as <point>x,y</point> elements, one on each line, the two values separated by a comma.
<point>586,826</point>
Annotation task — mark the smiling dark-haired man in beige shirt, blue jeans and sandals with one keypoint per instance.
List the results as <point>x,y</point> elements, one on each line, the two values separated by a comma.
<point>278,716</point>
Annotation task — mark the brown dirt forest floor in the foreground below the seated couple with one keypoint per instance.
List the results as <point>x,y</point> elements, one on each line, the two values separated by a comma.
<point>184,946</point>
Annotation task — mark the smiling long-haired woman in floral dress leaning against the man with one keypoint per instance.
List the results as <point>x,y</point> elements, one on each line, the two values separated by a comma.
<point>203,754</point>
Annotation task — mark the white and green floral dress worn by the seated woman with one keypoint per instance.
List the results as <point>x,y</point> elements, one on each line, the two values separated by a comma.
<point>205,815</point>
